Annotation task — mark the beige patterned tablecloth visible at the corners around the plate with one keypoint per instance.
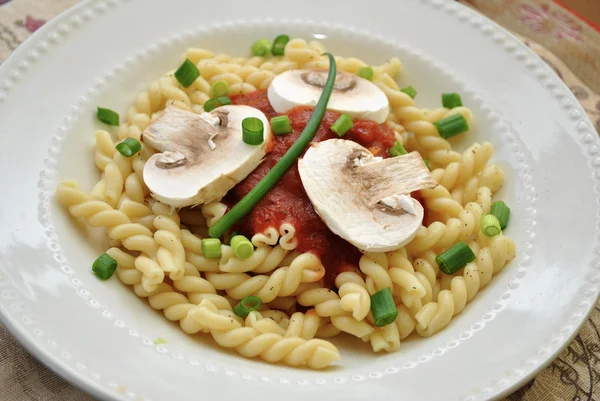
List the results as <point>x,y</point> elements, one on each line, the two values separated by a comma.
<point>549,29</point>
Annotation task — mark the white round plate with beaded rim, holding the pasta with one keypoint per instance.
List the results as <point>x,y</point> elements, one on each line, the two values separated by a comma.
<point>100,336</point>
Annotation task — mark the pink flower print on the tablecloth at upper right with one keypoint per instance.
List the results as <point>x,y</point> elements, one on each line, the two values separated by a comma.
<point>555,23</point>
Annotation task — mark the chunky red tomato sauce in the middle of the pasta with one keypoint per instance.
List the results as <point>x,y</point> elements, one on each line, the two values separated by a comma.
<point>287,201</point>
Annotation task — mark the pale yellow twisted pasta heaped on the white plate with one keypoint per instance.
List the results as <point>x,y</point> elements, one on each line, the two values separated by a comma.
<point>159,249</point>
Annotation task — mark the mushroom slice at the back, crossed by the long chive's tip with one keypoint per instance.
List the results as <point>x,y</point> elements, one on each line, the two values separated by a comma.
<point>351,94</point>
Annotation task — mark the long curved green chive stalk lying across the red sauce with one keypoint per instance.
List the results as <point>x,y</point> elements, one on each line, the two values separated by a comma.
<point>244,206</point>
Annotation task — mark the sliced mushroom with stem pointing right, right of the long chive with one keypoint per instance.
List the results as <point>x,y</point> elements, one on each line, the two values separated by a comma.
<point>365,199</point>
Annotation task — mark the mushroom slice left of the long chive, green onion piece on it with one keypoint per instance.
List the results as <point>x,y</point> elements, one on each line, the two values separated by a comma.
<point>202,156</point>
